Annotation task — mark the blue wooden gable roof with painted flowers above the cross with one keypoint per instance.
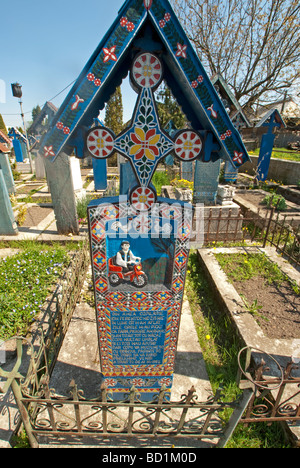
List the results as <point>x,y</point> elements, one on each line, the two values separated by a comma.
<point>148,25</point>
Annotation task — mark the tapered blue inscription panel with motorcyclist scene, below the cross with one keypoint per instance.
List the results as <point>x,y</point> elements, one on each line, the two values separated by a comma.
<point>139,264</point>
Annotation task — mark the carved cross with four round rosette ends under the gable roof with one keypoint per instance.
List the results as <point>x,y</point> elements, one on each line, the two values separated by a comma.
<point>144,143</point>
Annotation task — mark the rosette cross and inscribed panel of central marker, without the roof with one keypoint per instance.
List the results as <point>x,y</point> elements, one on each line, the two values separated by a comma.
<point>140,249</point>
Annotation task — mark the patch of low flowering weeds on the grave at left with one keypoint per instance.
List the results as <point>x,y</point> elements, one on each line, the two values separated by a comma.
<point>25,282</point>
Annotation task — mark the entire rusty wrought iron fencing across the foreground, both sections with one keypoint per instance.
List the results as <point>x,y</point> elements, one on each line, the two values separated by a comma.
<point>45,413</point>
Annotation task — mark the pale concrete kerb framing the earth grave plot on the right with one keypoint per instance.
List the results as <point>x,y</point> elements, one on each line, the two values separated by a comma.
<point>247,328</point>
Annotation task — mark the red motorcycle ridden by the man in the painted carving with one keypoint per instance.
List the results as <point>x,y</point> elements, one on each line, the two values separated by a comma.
<point>116,275</point>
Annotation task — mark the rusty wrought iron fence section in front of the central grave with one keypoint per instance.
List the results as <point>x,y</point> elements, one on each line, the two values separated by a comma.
<point>45,413</point>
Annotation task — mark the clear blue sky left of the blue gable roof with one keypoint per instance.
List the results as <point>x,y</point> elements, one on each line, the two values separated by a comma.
<point>44,47</point>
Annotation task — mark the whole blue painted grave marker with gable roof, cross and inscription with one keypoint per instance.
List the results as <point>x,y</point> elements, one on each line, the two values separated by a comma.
<point>139,242</point>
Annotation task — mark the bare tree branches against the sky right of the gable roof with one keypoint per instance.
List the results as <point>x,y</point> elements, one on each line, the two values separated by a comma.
<point>254,44</point>
